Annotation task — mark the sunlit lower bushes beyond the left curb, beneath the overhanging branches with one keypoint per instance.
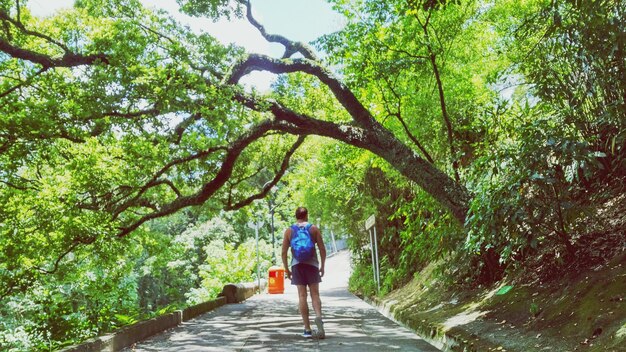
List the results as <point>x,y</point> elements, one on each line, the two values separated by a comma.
<point>176,262</point>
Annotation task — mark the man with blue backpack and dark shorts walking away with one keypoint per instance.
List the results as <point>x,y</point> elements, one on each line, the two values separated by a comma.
<point>305,269</point>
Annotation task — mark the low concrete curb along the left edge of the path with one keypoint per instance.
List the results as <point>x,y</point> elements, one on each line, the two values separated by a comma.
<point>126,336</point>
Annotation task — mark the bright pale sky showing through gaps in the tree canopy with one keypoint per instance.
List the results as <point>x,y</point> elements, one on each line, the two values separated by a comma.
<point>300,20</point>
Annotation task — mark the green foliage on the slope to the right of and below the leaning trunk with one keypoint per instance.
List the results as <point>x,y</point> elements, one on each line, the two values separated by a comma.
<point>521,101</point>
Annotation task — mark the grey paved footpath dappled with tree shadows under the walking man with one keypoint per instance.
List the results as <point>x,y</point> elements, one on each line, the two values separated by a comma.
<point>272,323</point>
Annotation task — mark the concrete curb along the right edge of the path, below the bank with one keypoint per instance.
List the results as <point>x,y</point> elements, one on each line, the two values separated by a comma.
<point>455,339</point>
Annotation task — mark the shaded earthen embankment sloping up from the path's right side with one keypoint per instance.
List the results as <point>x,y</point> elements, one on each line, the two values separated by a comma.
<point>581,312</point>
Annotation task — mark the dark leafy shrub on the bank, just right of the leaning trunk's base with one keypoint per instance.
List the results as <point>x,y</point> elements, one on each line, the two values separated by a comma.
<point>527,194</point>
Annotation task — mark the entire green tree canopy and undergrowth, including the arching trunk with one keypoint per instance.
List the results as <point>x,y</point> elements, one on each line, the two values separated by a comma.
<point>476,130</point>
